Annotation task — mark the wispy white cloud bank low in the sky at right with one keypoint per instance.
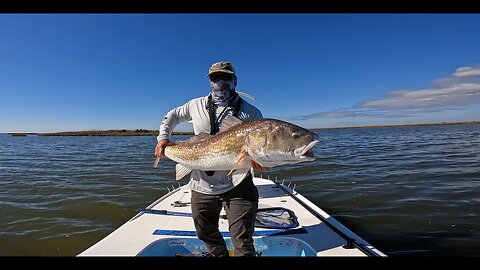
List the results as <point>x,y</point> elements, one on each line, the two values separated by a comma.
<point>453,92</point>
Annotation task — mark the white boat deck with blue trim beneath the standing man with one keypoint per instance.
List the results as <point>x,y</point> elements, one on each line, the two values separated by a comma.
<point>287,224</point>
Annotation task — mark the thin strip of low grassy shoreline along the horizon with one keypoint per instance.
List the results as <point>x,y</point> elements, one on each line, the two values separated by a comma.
<point>144,132</point>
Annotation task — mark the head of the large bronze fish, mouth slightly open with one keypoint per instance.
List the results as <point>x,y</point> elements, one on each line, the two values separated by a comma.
<point>281,143</point>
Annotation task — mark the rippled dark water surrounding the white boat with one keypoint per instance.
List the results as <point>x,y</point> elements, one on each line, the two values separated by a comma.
<point>410,191</point>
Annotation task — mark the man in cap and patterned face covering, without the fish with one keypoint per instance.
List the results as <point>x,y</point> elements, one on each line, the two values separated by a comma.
<point>213,189</point>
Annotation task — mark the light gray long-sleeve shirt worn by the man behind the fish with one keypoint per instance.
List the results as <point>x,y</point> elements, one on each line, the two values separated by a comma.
<point>196,110</point>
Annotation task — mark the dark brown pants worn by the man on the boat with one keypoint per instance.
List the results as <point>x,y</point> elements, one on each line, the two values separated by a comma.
<point>241,204</point>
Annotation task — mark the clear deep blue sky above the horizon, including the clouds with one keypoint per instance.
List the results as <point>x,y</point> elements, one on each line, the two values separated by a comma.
<point>66,72</point>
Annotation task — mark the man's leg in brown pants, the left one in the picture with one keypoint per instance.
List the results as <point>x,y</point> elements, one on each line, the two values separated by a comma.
<point>206,212</point>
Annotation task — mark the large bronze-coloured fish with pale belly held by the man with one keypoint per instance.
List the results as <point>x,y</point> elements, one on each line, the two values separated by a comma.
<point>241,143</point>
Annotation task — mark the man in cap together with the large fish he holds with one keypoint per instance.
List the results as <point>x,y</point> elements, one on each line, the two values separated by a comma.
<point>231,138</point>
